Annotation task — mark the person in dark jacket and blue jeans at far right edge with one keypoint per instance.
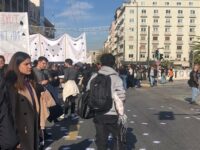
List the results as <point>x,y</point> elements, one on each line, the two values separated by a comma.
<point>194,84</point>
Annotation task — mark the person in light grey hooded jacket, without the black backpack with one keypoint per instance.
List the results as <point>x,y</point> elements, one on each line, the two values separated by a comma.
<point>109,123</point>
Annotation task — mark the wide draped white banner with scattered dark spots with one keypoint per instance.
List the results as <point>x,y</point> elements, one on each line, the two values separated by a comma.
<point>58,50</point>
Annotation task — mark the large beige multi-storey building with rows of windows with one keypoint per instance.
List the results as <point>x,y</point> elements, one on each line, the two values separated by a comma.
<point>172,24</point>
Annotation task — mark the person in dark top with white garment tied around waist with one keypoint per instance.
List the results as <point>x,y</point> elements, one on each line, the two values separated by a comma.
<point>70,90</point>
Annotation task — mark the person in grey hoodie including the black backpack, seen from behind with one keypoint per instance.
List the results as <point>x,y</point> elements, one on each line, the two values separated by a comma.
<point>106,98</point>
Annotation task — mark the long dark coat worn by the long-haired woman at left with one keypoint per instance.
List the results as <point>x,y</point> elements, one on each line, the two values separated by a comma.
<point>25,116</point>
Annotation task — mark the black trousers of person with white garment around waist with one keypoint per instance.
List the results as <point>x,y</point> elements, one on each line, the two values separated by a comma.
<point>70,103</point>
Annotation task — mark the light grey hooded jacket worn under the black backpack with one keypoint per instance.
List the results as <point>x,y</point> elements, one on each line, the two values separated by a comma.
<point>117,90</point>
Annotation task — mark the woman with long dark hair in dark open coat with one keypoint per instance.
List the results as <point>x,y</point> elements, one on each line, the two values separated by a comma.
<point>25,107</point>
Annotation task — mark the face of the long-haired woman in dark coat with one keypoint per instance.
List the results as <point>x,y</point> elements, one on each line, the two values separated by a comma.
<point>25,67</point>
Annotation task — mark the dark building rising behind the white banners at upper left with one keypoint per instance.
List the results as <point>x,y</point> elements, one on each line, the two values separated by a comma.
<point>35,8</point>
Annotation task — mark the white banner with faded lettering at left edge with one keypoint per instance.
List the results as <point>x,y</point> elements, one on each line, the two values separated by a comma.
<point>14,34</point>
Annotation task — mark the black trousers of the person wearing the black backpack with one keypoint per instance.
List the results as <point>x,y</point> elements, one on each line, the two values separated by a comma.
<point>105,125</point>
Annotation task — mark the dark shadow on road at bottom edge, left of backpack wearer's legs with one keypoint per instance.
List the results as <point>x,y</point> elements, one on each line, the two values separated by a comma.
<point>77,146</point>
